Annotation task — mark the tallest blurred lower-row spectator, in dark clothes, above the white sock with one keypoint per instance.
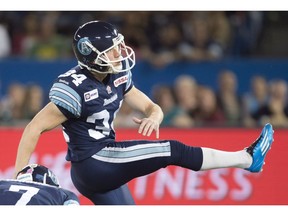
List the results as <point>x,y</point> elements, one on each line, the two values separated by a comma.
<point>228,99</point>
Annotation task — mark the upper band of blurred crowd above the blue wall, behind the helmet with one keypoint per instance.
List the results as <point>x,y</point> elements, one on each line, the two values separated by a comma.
<point>160,37</point>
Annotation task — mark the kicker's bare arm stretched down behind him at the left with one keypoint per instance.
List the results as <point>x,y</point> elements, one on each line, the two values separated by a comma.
<point>47,119</point>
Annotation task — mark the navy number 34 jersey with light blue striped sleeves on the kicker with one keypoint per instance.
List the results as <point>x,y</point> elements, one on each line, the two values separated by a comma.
<point>91,107</point>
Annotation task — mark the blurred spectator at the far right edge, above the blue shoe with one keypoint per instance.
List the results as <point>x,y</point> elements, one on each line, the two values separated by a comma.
<point>275,111</point>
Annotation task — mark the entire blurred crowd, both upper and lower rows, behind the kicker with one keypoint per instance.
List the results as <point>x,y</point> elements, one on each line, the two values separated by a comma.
<point>160,38</point>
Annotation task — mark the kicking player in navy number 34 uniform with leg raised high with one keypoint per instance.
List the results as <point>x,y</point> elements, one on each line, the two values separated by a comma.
<point>85,100</point>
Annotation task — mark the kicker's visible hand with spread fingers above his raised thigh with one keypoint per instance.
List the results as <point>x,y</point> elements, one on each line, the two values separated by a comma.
<point>147,126</point>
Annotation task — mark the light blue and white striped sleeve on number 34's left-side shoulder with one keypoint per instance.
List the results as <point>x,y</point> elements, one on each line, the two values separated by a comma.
<point>66,97</point>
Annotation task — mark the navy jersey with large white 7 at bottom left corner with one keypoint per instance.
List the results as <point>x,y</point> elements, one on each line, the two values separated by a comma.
<point>15,192</point>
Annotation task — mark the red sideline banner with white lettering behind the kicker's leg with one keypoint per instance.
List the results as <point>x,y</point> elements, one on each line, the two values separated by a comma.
<point>175,185</point>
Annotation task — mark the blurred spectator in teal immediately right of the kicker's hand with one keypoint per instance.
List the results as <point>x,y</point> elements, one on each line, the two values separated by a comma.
<point>174,116</point>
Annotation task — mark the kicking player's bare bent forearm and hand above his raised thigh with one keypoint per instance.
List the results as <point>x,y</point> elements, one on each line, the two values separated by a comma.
<point>154,115</point>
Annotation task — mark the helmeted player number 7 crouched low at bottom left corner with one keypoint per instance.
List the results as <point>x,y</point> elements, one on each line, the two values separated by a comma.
<point>35,185</point>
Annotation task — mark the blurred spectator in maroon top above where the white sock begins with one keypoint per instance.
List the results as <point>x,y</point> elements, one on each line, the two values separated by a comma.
<point>208,113</point>
